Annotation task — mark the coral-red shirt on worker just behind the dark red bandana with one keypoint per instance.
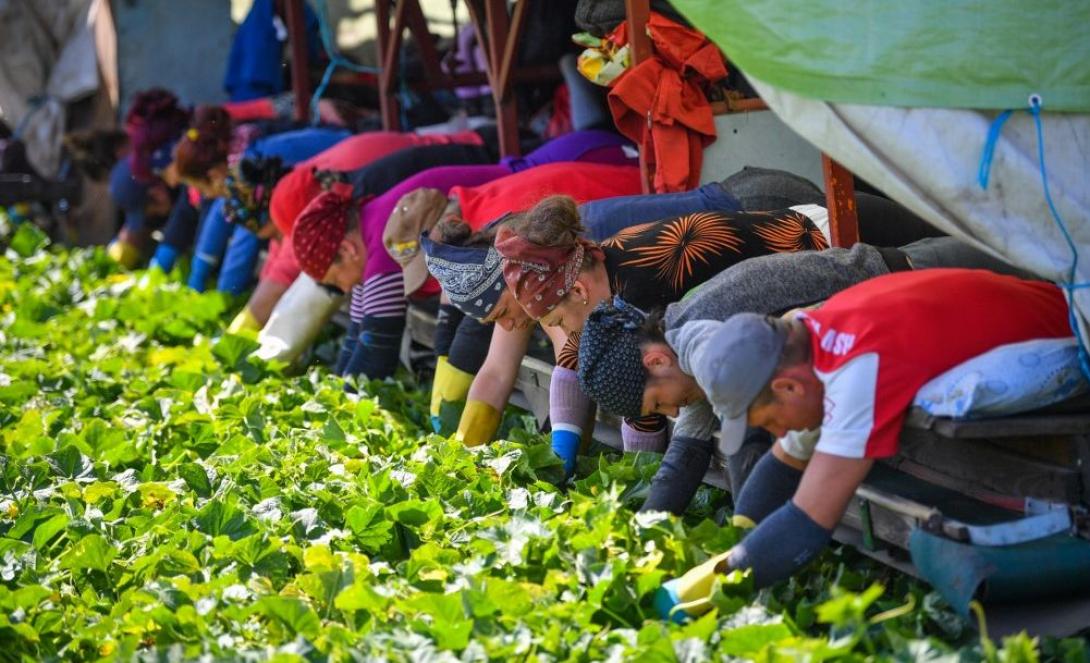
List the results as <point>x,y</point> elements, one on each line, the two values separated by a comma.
<point>299,187</point>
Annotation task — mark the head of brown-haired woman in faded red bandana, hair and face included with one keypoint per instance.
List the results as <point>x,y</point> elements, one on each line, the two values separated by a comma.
<point>555,275</point>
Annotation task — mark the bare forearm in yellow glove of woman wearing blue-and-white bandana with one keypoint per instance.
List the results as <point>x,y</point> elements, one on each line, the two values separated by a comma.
<point>493,385</point>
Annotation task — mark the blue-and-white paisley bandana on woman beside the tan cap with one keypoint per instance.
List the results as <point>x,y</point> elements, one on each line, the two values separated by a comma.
<point>473,278</point>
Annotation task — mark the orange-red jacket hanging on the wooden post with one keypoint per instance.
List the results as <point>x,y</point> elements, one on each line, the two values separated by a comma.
<point>660,104</point>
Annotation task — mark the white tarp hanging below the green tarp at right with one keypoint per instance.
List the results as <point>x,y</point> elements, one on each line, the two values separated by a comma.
<point>929,160</point>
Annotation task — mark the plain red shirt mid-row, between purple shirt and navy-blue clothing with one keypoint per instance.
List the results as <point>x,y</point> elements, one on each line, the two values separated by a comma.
<point>523,190</point>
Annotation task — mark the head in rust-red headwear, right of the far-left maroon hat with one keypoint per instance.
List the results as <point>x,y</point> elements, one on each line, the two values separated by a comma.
<point>201,154</point>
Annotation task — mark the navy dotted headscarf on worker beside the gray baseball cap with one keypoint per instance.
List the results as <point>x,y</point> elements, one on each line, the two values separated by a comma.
<point>611,360</point>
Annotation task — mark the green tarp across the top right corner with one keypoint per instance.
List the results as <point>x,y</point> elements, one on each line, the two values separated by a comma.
<point>940,54</point>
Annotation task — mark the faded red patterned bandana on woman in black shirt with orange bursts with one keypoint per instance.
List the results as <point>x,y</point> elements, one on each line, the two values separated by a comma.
<point>539,276</point>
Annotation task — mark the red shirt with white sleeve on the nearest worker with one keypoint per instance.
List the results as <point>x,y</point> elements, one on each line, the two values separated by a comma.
<point>875,345</point>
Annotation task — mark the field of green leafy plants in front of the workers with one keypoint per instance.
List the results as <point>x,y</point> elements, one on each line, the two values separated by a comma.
<point>163,498</point>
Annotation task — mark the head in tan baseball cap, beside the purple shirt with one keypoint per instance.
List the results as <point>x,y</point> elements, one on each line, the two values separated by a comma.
<point>415,213</point>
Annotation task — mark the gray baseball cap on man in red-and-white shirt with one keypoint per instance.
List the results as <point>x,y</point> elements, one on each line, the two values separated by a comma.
<point>732,361</point>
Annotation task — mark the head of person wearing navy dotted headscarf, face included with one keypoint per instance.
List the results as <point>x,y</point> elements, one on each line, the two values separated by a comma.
<point>627,367</point>
